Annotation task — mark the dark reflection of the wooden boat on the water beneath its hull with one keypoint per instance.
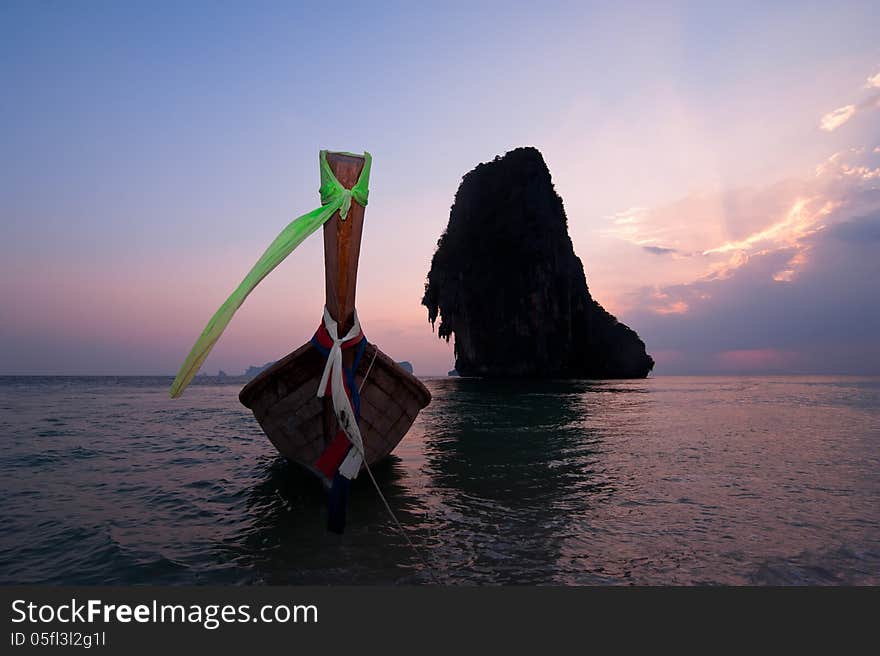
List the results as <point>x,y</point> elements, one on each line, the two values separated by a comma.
<point>284,539</point>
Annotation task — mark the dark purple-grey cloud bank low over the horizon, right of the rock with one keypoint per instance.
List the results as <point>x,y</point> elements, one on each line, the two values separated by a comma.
<point>825,320</point>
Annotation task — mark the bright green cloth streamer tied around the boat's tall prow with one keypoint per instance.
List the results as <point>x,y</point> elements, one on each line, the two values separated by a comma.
<point>333,197</point>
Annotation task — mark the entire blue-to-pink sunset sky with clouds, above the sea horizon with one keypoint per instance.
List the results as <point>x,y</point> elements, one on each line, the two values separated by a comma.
<point>719,166</point>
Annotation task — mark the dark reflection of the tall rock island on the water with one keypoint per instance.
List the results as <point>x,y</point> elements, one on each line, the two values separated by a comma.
<point>510,469</point>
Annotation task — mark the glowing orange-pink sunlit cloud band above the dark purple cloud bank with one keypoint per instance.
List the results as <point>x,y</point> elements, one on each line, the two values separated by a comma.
<point>710,237</point>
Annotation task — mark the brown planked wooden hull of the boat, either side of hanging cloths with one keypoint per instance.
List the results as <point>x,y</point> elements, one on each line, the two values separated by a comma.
<point>283,399</point>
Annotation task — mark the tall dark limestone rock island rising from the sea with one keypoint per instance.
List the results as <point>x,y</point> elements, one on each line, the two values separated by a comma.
<point>506,283</point>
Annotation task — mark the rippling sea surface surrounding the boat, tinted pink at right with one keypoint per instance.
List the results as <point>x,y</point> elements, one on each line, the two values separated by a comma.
<point>667,480</point>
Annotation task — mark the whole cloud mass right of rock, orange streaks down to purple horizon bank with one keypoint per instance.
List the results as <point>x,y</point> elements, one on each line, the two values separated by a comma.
<point>793,292</point>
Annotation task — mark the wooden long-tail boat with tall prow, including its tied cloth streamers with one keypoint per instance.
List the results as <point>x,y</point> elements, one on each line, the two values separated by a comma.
<point>337,403</point>
